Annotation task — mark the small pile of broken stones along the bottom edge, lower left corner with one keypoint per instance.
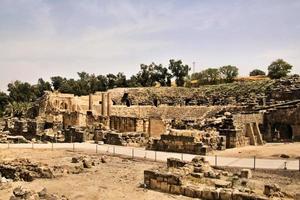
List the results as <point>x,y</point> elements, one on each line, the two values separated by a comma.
<point>20,193</point>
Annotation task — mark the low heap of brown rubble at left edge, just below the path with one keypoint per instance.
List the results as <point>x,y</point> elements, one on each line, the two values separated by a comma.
<point>24,169</point>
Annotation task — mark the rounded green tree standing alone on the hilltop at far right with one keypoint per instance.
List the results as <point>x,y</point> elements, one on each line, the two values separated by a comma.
<point>278,69</point>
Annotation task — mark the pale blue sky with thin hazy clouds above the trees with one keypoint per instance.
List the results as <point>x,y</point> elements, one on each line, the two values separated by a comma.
<point>44,38</point>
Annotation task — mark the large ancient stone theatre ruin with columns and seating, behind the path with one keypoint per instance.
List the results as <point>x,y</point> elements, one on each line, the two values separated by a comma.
<point>129,116</point>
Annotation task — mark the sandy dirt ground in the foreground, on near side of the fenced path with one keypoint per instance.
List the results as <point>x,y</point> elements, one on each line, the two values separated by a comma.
<point>118,178</point>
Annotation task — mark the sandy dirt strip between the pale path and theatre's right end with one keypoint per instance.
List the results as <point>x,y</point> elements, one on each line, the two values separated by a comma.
<point>269,150</point>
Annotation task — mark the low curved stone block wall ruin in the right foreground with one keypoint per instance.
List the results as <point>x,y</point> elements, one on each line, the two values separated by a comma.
<point>197,179</point>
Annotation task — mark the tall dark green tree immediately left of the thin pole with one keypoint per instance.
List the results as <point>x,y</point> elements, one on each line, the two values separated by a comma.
<point>179,71</point>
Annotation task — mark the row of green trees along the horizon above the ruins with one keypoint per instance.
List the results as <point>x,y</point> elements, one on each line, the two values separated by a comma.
<point>22,93</point>
